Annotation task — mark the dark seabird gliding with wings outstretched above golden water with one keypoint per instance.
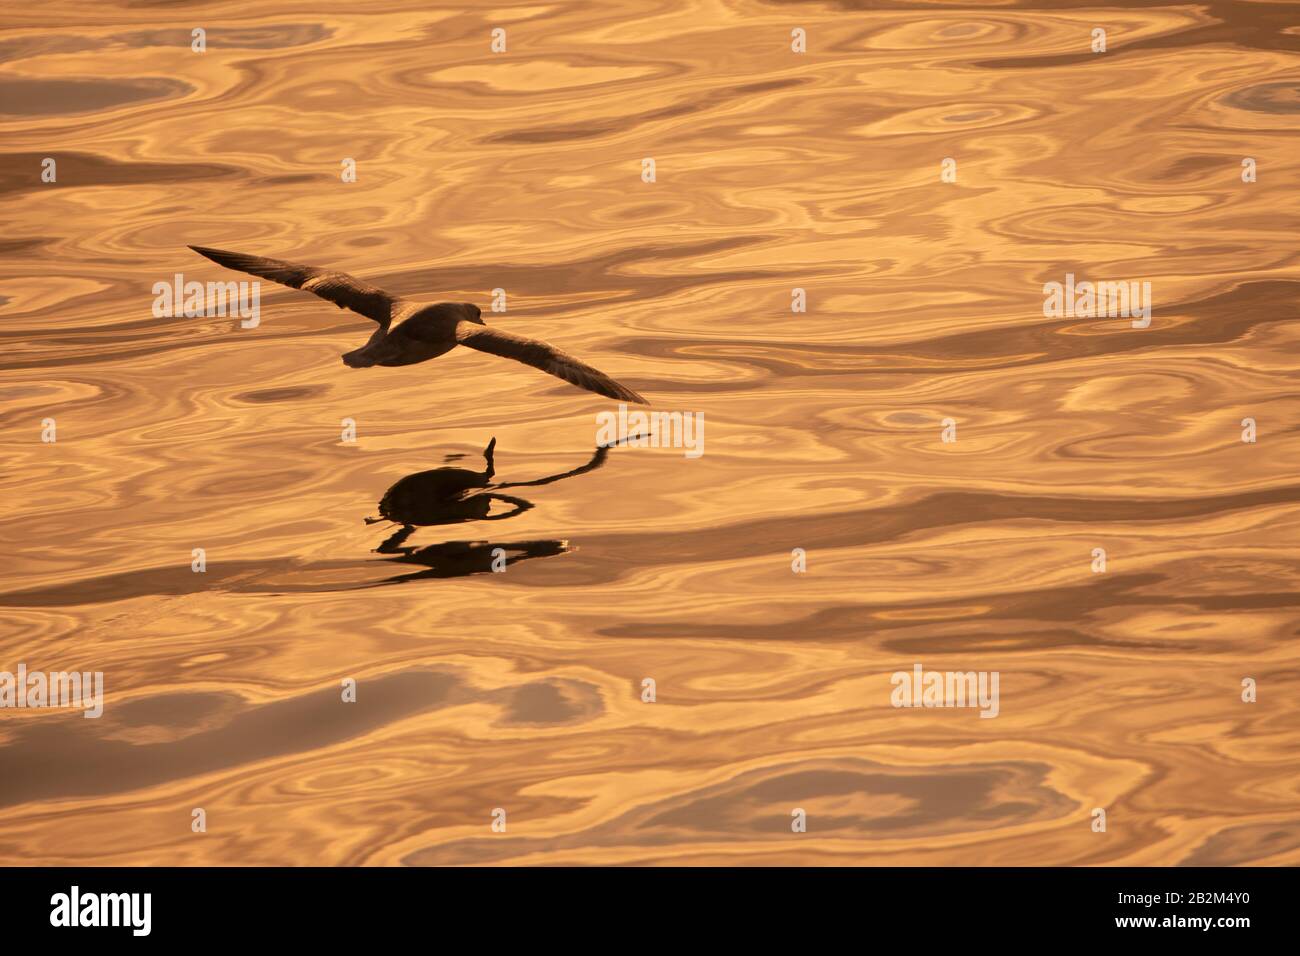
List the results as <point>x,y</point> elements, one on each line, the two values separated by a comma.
<point>413,332</point>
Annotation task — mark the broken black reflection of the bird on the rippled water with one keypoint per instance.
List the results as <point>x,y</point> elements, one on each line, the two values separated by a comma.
<point>453,496</point>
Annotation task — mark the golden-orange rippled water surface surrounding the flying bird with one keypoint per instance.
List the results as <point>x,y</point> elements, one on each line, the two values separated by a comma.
<point>1121,690</point>
